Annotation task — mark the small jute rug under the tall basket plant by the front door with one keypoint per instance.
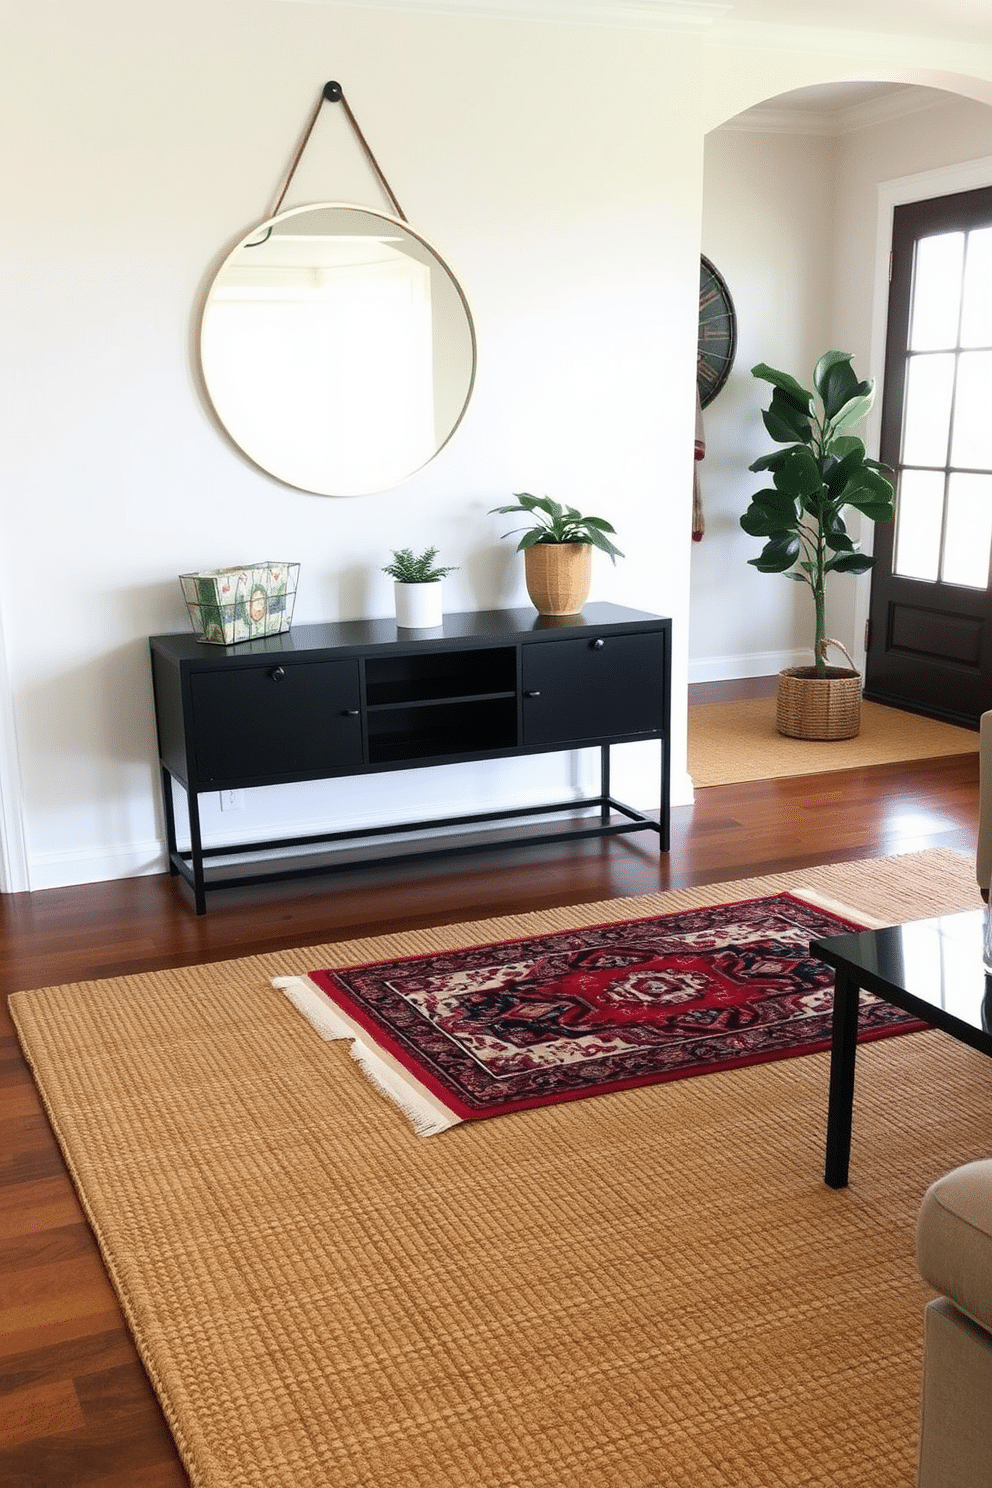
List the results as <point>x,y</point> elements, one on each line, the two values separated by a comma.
<point>731,743</point>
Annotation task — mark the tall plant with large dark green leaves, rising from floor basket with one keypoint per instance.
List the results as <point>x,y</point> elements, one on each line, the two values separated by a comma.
<point>823,471</point>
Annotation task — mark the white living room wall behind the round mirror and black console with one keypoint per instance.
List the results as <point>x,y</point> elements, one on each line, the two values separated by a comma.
<point>557,167</point>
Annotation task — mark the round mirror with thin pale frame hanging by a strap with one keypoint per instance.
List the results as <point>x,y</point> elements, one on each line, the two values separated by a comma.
<point>338,349</point>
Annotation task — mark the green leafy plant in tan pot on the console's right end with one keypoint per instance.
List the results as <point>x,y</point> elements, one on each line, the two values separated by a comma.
<point>558,551</point>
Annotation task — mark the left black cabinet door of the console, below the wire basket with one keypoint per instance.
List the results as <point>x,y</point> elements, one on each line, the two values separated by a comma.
<point>285,719</point>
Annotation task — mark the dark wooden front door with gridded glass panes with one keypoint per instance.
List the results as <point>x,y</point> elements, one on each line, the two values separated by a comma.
<point>930,627</point>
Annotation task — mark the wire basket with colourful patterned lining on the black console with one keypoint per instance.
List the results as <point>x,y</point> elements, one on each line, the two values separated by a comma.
<point>242,603</point>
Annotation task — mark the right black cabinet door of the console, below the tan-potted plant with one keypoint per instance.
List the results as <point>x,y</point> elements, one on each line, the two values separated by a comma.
<point>596,688</point>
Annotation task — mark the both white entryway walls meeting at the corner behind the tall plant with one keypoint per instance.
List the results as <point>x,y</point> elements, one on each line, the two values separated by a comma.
<point>799,251</point>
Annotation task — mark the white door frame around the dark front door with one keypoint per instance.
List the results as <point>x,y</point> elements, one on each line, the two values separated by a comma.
<point>921,187</point>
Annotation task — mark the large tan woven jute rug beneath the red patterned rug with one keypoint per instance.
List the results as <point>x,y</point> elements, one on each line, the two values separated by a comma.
<point>646,1289</point>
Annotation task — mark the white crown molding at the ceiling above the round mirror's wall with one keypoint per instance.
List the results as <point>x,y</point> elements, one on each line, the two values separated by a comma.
<point>658,16</point>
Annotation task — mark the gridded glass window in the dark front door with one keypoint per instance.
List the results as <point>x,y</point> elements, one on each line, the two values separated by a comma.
<point>944,505</point>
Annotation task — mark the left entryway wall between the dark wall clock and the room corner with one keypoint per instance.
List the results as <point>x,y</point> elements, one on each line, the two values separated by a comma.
<point>773,243</point>
